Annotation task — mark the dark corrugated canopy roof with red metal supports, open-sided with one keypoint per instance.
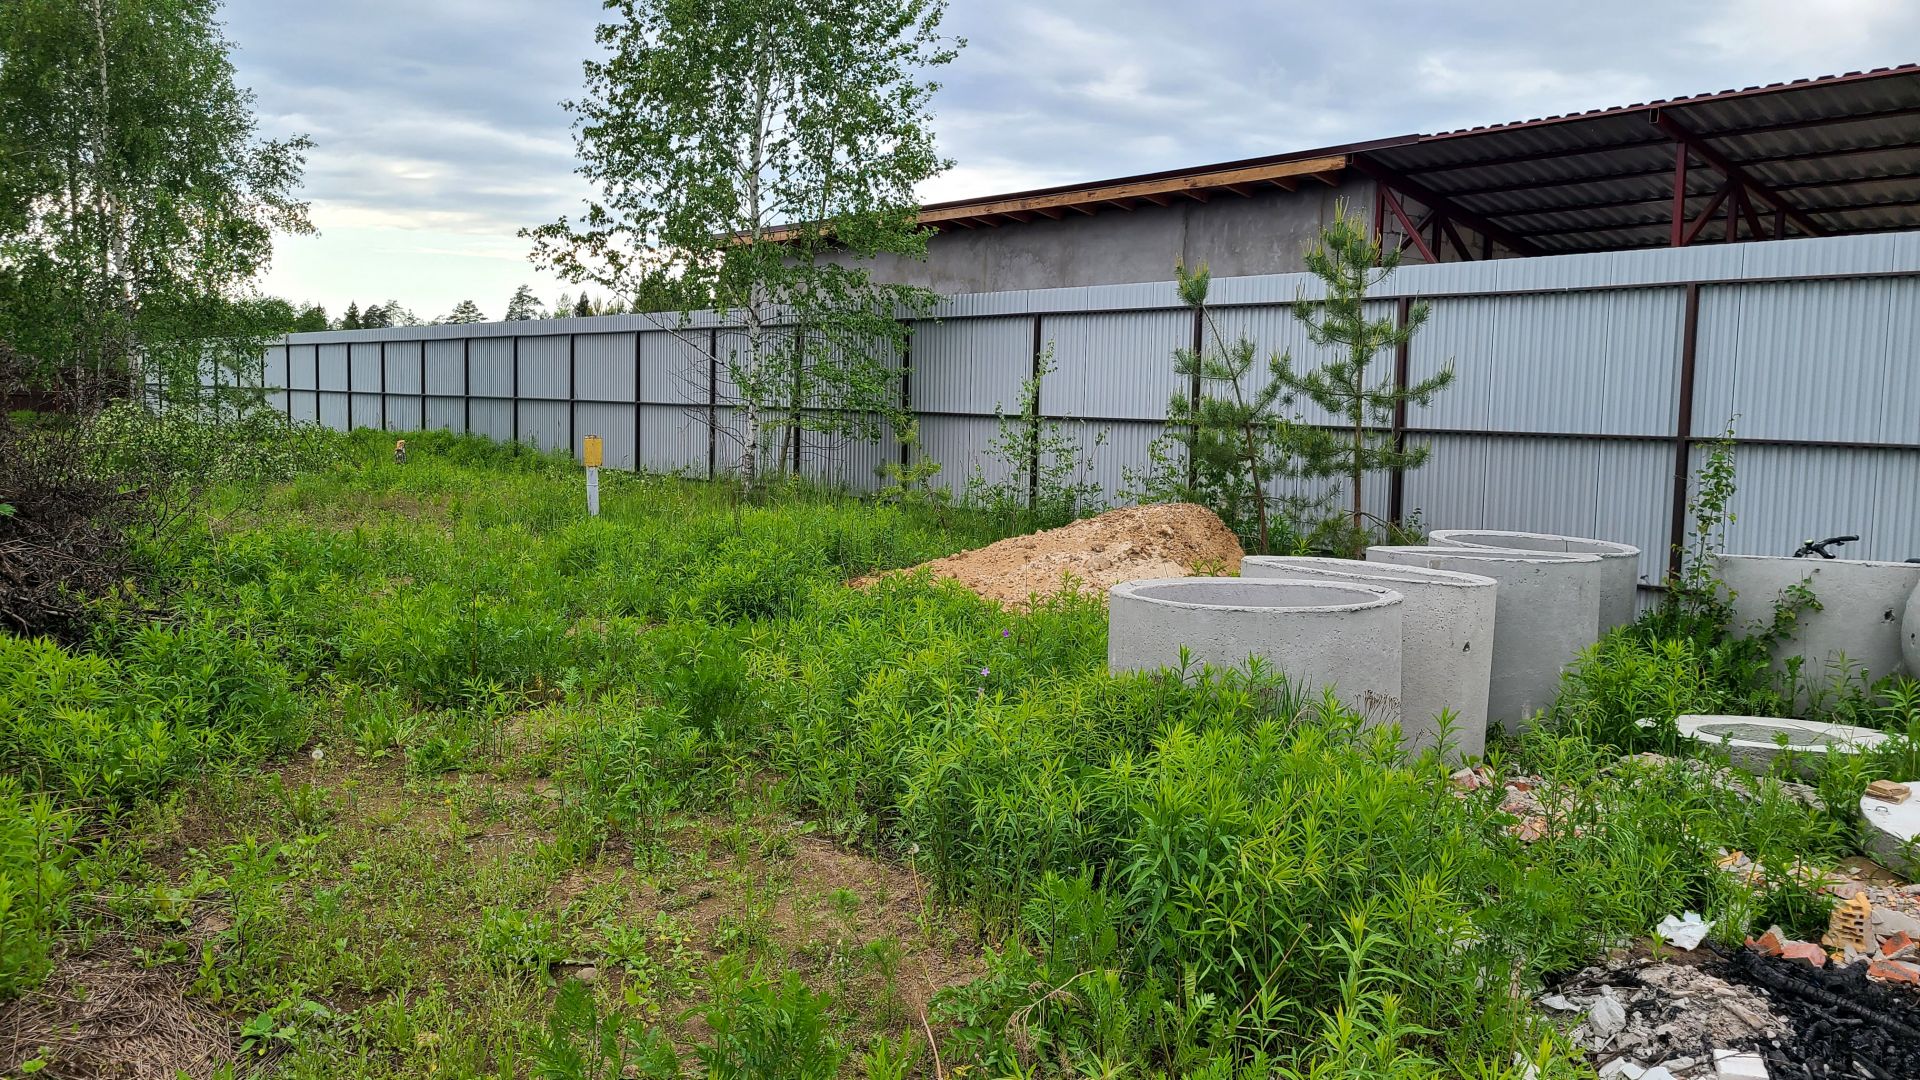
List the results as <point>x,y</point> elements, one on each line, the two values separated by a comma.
<point>1842,151</point>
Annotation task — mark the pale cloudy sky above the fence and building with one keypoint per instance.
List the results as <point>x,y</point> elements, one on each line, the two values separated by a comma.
<point>439,130</point>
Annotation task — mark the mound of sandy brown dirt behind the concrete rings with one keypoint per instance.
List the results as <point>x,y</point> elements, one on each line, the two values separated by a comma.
<point>1122,545</point>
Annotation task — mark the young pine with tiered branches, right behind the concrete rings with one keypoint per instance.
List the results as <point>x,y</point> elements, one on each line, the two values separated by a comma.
<point>1349,264</point>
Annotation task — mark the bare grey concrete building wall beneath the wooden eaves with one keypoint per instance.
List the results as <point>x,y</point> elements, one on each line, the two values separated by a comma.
<point>1234,235</point>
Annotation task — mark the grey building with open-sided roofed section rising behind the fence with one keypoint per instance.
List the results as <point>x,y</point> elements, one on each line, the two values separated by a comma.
<point>1808,159</point>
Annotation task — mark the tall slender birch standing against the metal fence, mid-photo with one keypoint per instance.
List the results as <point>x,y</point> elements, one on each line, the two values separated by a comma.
<point>750,155</point>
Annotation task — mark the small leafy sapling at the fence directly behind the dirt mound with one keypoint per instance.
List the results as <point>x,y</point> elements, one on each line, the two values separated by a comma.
<point>1045,468</point>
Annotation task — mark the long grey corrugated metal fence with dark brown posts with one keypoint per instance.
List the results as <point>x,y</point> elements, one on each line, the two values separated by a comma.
<point>1585,387</point>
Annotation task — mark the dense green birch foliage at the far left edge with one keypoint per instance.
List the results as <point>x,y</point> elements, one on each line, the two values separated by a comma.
<point>118,243</point>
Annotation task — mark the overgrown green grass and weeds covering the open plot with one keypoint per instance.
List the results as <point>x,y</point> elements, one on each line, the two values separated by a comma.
<point>418,745</point>
